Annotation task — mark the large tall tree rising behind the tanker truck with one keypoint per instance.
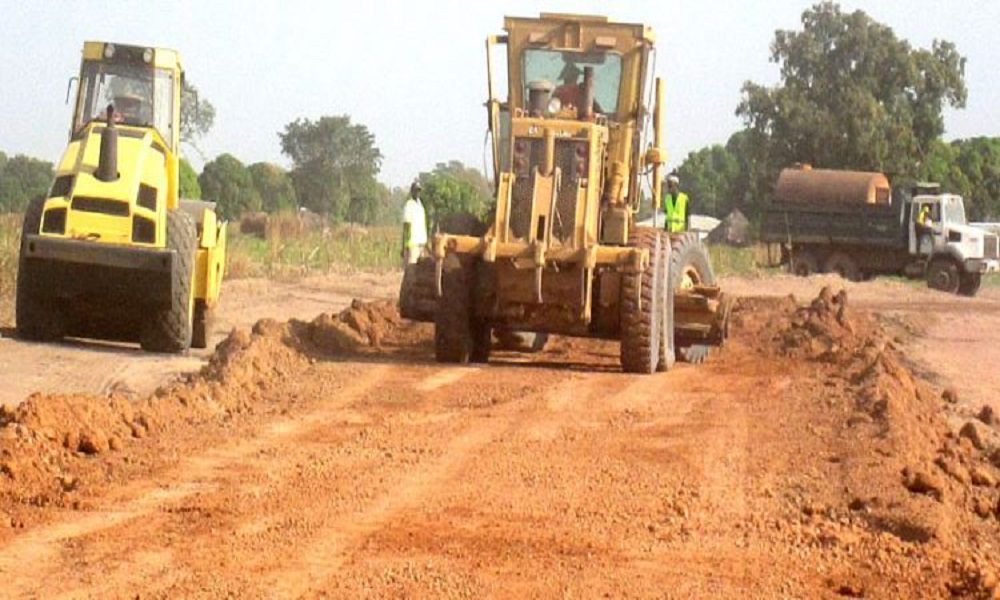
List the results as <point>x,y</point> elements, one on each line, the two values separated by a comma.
<point>852,96</point>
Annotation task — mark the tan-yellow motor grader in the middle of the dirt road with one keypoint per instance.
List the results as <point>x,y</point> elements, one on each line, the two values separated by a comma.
<point>579,133</point>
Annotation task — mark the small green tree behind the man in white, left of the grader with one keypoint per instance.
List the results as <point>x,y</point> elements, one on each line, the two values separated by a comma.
<point>453,188</point>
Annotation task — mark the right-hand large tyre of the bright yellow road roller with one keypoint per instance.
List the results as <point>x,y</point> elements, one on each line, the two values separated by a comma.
<point>169,329</point>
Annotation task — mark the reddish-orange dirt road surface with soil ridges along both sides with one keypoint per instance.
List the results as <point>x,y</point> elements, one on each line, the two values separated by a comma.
<point>785,467</point>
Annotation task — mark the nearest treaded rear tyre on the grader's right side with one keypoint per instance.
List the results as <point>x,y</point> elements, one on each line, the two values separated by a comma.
<point>642,307</point>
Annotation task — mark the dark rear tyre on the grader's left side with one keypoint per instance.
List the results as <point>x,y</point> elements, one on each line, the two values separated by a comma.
<point>453,335</point>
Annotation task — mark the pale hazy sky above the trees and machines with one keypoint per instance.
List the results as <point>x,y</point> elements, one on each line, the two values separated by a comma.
<point>414,71</point>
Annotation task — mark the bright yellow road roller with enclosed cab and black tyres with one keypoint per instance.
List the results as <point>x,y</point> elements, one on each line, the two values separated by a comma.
<point>113,252</point>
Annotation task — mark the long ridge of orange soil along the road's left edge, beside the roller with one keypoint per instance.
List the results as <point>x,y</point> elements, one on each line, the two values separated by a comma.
<point>49,443</point>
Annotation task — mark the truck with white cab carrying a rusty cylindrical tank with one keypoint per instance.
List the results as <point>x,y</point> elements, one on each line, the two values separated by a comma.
<point>853,223</point>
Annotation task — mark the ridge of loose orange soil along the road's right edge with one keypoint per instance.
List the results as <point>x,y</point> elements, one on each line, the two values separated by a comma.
<point>909,486</point>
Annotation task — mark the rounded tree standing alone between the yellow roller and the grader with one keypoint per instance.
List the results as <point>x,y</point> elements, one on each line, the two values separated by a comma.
<point>335,164</point>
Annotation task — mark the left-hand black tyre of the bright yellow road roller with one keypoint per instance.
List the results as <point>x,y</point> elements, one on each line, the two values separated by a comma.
<point>37,317</point>
